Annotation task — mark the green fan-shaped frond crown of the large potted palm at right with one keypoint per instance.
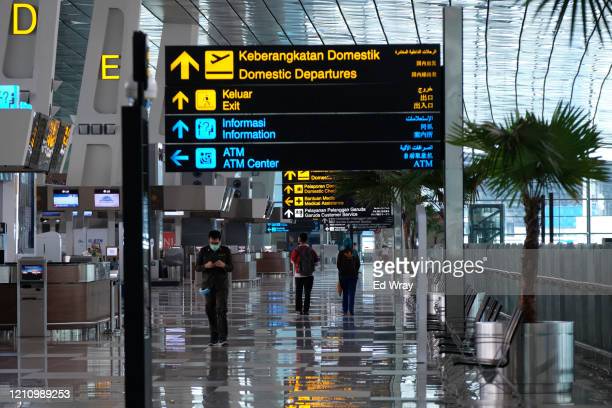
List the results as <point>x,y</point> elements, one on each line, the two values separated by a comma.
<point>528,155</point>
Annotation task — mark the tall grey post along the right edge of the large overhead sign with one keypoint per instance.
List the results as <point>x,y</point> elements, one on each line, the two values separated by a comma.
<point>453,160</point>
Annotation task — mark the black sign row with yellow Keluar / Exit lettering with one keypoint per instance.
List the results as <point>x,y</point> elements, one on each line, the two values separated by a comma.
<point>366,98</point>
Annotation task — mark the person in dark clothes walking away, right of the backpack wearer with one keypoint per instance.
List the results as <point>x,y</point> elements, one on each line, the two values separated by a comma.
<point>348,265</point>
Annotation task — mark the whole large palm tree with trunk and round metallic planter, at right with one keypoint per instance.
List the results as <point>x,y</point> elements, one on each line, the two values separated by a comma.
<point>521,160</point>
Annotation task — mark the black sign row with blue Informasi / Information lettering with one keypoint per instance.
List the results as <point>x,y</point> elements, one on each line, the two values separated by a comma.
<point>298,128</point>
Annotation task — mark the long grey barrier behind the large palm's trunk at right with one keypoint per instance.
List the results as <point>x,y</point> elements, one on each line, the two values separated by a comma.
<point>573,284</point>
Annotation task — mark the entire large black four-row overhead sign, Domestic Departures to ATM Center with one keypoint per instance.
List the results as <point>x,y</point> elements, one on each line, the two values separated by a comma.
<point>283,107</point>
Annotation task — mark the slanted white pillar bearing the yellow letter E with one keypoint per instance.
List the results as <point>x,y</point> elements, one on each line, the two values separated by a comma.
<point>96,159</point>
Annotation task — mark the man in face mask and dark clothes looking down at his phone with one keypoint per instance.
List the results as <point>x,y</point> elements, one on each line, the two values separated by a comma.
<point>215,261</point>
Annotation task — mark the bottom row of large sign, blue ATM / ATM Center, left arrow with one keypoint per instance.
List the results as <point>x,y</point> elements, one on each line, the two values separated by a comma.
<point>326,156</point>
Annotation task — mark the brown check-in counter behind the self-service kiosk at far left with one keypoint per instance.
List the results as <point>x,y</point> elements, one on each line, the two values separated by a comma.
<point>78,294</point>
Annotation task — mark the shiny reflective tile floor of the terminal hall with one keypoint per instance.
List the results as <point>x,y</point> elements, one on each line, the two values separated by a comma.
<point>275,358</point>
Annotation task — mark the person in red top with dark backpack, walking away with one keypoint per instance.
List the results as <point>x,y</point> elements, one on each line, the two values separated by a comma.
<point>303,258</point>
